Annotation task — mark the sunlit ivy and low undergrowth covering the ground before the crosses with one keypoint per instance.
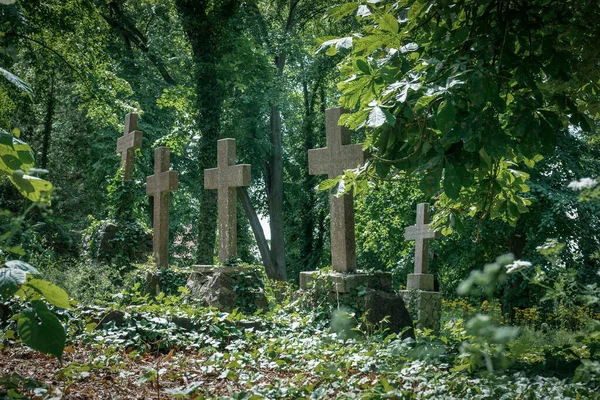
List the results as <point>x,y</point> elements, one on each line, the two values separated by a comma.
<point>170,346</point>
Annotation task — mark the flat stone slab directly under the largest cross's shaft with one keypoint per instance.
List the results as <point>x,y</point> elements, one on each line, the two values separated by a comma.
<point>345,282</point>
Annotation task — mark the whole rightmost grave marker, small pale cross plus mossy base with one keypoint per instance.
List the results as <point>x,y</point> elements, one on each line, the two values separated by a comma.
<point>420,297</point>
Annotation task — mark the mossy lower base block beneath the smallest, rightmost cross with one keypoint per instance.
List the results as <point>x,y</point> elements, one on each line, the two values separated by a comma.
<point>425,307</point>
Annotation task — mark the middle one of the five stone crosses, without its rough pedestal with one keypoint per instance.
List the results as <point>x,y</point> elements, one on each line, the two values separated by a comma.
<point>225,178</point>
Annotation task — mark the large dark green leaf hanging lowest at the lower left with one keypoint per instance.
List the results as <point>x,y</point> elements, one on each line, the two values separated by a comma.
<point>41,330</point>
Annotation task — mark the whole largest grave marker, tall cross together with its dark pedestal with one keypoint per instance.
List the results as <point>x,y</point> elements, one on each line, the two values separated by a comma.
<point>379,298</point>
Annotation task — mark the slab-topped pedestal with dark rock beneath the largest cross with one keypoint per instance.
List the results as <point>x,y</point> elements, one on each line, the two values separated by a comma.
<point>378,298</point>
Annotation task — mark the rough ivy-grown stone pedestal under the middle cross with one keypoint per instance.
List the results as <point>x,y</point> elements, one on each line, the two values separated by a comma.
<point>227,288</point>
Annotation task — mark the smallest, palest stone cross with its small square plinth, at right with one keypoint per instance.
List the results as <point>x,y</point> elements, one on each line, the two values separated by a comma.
<point>421,233</point>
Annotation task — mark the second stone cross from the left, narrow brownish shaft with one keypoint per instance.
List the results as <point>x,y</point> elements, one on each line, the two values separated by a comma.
<point>159,185</point>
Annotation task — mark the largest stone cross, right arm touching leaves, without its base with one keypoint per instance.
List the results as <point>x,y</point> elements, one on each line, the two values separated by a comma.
<point>332,160</point>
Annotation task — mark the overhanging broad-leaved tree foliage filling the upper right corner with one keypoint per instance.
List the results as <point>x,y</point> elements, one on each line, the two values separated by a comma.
<point>462,96</point>
